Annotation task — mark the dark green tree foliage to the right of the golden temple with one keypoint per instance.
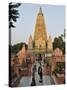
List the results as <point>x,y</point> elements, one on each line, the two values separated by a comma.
<point>59,43</point>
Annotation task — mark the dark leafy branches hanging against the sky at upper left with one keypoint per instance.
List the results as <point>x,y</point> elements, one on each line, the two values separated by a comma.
<point>13,14</point>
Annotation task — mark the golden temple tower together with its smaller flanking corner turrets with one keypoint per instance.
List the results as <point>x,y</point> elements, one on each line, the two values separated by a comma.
<point>40,41</point>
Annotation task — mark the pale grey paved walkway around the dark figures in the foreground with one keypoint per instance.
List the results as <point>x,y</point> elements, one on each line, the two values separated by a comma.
<point>26,81</point>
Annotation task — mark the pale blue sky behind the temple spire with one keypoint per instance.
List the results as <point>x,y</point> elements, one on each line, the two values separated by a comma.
<point>54,17</point>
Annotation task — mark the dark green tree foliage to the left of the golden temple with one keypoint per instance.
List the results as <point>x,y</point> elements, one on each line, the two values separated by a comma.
<point>15,48</point>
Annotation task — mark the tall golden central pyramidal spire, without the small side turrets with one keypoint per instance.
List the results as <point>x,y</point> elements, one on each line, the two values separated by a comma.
<point>40,35</point>
